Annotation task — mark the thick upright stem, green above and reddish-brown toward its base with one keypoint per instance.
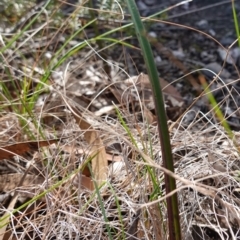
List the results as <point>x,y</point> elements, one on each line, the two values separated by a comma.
<point>172,203</point>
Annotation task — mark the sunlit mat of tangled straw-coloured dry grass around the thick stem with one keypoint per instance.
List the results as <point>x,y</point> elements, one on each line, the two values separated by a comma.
<point>59,198</point>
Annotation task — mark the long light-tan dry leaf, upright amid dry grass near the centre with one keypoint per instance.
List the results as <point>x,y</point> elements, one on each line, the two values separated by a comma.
<point>98,153</point>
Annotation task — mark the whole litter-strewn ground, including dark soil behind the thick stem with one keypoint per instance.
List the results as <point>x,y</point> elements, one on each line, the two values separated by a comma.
<point>204,156</point>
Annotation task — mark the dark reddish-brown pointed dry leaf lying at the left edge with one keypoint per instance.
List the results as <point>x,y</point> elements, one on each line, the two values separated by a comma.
<point>23,147</point>
